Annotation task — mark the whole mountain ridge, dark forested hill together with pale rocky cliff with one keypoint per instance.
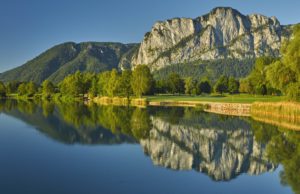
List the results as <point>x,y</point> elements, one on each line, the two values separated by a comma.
<point>222,34</point>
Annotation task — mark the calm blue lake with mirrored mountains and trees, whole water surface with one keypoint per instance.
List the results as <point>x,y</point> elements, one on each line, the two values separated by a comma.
<point>74,148</point>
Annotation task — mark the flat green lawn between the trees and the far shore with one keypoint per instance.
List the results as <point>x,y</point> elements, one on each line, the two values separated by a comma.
<point>238,98</point>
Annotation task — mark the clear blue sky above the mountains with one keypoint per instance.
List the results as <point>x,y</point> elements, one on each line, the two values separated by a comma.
<point>29,27</point>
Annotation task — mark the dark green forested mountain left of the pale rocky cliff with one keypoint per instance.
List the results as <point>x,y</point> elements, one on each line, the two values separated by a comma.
<point>61,60</point>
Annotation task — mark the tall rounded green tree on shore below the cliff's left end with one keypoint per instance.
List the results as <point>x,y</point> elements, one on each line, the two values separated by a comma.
<point>142,80</point>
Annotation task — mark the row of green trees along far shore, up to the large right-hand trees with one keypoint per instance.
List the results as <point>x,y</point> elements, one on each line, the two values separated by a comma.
<point>127,83</point>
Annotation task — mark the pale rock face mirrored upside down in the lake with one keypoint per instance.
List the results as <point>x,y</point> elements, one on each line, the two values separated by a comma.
<point>222,154</point>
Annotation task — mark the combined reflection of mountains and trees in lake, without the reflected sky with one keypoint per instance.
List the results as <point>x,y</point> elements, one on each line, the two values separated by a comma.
<point>177,138</point>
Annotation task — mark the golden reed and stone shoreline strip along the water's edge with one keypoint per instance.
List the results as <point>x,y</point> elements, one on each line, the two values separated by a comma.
<point>281,113</point>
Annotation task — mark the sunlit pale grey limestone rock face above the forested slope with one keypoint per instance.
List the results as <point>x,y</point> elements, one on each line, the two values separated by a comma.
<point>222,33</point>
